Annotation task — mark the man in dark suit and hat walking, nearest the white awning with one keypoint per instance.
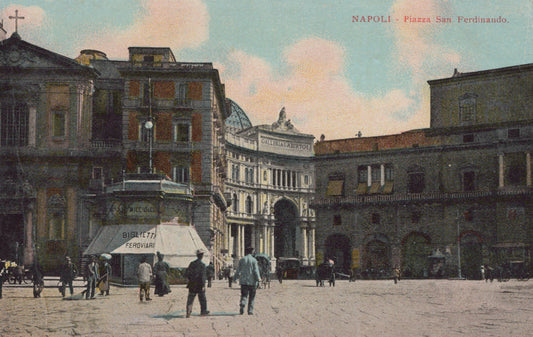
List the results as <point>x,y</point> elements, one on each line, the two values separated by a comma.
<point>197,276</point>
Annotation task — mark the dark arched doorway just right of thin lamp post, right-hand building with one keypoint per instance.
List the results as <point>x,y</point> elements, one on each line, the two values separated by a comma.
<point>471,255</point>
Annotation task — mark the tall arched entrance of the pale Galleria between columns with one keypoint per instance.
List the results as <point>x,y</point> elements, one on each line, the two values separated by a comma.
<point>286,216</point>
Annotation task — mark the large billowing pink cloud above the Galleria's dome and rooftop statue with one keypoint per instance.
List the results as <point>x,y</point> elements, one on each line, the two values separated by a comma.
<point>315,92</point>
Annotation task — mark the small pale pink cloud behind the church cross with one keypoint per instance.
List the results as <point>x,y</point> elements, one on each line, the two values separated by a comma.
<point>32,14</point>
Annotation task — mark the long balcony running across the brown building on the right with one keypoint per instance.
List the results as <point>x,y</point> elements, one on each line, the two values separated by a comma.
<point>418,197</point>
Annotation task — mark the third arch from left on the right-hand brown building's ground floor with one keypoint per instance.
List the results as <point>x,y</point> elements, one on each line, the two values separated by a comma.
<point>415,251</point>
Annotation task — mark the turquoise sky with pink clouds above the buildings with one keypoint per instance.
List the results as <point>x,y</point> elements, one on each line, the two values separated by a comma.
<point>334,75</point>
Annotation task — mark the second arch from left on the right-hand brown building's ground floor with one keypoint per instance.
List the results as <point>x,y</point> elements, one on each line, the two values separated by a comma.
<point>376,258</point>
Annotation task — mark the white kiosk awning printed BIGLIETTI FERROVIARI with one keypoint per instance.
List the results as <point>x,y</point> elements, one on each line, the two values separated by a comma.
<point>178,243</point>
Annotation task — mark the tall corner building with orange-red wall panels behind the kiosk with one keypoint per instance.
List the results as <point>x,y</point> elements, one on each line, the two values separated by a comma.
<point>164,117</point>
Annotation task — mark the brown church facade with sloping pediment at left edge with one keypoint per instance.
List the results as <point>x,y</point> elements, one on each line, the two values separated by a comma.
<point>45,145</point>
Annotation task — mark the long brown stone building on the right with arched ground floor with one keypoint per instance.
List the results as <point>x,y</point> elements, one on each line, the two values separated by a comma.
<point>440,201</point>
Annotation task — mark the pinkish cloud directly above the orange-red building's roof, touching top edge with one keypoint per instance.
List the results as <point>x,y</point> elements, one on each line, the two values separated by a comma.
<point>163,23</point>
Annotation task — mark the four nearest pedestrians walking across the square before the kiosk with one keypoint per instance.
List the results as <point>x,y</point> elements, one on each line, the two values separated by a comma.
<point>197,274</point>
